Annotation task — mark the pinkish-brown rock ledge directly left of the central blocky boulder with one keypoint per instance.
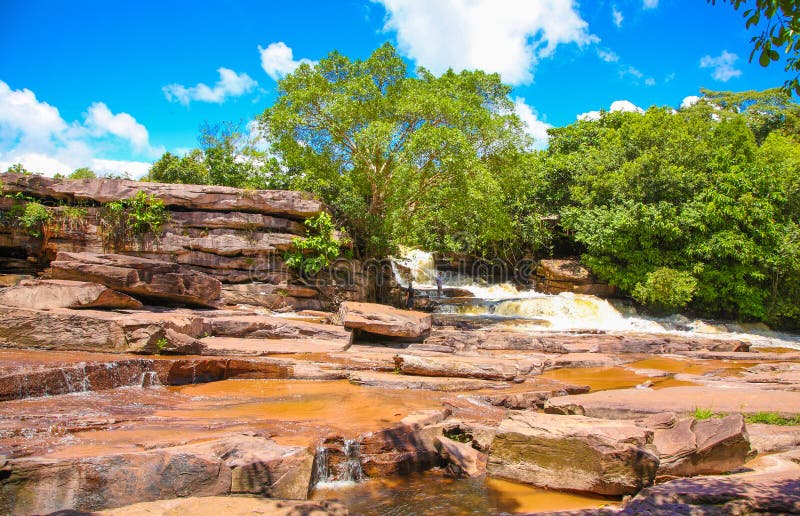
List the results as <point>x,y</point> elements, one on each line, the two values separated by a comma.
<point>268,327</point>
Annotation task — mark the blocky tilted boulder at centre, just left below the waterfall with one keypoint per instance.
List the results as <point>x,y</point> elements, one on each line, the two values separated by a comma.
<point>385,320</point>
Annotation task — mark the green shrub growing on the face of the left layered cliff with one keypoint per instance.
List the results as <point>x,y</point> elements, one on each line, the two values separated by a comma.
<point>125,221</point>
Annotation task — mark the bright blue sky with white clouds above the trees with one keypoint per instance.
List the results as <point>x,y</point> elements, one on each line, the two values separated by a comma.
<point>114,85</point>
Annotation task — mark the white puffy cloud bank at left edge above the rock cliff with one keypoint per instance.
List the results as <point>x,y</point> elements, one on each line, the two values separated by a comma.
<point>33,132</point>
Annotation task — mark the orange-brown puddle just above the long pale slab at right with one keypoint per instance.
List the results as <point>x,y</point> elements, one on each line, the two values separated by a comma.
<point>607,378</point>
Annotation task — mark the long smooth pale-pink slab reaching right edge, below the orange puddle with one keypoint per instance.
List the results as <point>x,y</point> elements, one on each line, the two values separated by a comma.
<point>631,403</point>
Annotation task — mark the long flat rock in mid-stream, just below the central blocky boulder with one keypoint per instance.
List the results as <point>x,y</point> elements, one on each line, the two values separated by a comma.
<point>486,368</point>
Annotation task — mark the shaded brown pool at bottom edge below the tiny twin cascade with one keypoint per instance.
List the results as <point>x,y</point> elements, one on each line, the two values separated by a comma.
<point>433,494</point>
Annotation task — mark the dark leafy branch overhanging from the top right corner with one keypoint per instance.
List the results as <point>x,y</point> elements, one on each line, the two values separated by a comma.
<point>781,31</point>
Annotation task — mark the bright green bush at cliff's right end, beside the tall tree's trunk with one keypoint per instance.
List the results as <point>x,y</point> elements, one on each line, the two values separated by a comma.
<point>318,250</point>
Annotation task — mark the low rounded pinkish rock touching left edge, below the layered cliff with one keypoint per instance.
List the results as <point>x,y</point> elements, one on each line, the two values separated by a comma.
<point>65,294</point>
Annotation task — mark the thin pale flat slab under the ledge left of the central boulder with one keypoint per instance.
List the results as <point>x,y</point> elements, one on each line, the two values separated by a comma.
<point>232,346</point>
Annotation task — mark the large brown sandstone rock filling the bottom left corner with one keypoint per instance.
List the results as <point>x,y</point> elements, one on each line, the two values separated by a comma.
<point>229,465</point>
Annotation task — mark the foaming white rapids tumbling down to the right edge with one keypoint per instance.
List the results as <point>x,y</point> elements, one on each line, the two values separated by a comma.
<point>535,311</point>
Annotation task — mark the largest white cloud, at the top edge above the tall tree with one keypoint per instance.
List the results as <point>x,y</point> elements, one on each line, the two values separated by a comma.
<point>509,37</point>
